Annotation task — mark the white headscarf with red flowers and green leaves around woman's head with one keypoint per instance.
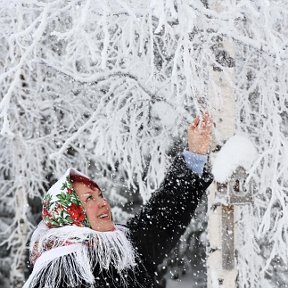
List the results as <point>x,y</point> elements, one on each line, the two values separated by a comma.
<point>61,205</point>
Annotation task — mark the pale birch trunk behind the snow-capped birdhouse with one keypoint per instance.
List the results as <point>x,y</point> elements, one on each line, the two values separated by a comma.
<point>224,118</point>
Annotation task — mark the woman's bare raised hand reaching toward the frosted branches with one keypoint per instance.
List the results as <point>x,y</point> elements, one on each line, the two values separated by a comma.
<point>200,134</point>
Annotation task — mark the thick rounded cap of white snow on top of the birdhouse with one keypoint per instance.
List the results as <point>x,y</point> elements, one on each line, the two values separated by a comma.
<point>237,151</point>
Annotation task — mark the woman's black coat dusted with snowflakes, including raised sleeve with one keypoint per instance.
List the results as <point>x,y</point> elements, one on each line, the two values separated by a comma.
<point>156,229</point>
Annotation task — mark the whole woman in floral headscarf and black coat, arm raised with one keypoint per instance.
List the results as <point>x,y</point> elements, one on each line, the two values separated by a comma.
<point>78,245</point>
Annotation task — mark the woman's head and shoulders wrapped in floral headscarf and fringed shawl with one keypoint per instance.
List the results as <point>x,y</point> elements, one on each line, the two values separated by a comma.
<point>77,221</point>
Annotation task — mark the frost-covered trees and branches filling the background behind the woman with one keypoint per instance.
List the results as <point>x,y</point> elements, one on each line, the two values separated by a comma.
<point>109,88</point>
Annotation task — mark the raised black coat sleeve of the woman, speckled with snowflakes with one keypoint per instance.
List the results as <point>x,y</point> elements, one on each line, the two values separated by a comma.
<point>156,229</point>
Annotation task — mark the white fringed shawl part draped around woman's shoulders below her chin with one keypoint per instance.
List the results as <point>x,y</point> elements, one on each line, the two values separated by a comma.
<point>86,246</point>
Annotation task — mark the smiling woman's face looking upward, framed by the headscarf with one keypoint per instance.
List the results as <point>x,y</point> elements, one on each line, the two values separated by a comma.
<point>96,206</point>
